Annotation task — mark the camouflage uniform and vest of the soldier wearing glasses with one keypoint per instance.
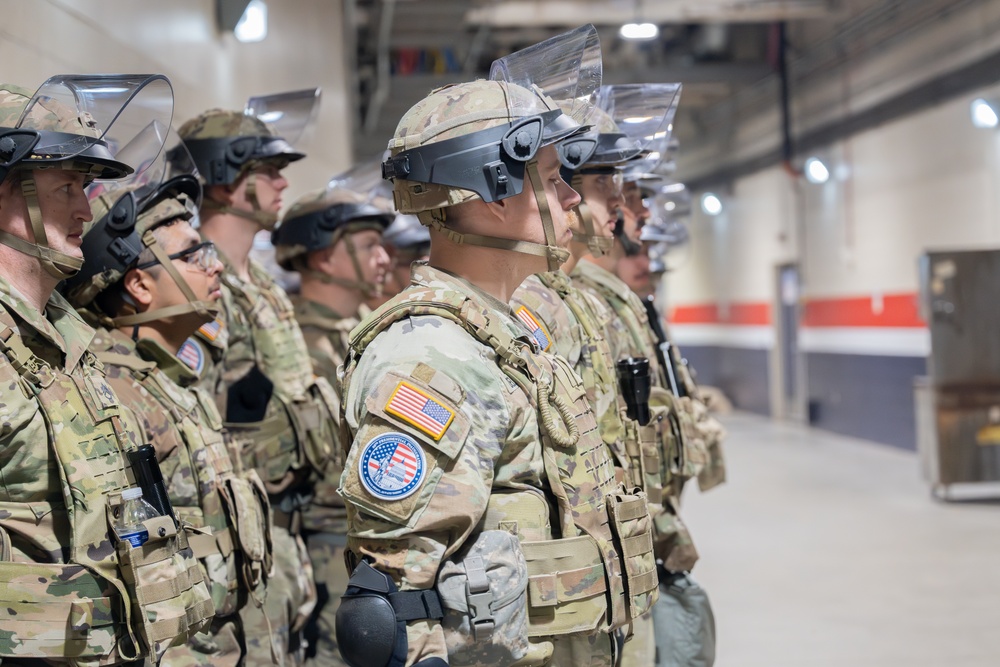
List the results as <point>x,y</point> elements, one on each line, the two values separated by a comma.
<point>206,488</point>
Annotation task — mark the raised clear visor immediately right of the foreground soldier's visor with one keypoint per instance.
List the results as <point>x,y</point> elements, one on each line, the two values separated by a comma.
<point>644,114</point>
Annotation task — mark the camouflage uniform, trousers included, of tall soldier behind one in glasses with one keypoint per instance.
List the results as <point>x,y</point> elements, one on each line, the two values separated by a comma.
<point>257,329</point>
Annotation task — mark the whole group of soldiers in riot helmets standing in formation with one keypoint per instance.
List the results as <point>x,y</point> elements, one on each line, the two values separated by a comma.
<point>486,469</point>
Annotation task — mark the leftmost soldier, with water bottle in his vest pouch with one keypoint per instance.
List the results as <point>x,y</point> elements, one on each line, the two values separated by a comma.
<point>74,592</point>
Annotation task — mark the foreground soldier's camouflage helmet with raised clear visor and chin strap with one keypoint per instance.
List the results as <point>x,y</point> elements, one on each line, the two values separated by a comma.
<point>480,139</point>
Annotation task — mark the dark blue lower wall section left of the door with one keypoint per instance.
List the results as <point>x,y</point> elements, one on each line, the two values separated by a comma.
<point>742,374</point>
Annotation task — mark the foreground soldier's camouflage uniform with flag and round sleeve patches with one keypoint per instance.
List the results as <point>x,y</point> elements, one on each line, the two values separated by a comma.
<point>494,463</point>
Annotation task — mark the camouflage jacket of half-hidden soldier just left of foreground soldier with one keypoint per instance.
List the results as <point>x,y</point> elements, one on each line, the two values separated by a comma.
<point>327,337</point>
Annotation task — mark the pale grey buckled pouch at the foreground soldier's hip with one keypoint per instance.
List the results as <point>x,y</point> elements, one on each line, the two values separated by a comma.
<point>484,591</point>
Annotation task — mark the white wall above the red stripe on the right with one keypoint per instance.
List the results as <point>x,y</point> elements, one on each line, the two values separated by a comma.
<point>929,181</point>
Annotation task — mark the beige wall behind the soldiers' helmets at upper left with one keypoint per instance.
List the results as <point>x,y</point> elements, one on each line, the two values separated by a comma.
<point>208,68</point>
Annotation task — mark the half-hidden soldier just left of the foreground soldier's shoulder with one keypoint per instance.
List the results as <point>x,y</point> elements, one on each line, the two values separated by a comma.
<point>332,239</point>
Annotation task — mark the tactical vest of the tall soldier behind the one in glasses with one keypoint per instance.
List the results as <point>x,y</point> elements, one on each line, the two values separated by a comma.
<point>300,402</point>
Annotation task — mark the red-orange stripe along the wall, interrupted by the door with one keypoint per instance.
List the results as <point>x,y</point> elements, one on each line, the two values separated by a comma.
<point>895,310</point>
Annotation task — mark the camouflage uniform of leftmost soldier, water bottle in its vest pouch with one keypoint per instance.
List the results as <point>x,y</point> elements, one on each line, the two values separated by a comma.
<point>64,428</point>
